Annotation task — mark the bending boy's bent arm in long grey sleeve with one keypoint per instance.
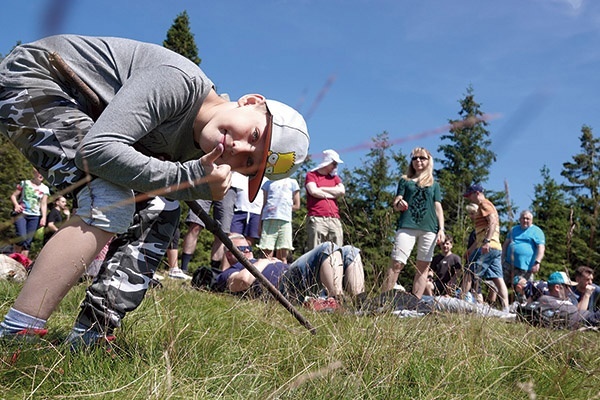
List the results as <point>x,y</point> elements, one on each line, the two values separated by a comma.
<point>108,149</point>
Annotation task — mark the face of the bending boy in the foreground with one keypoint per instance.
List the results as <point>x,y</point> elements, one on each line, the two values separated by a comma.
<point>241,131</point>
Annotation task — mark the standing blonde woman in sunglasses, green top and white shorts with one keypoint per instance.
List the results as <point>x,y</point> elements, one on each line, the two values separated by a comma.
<point>418,198</point>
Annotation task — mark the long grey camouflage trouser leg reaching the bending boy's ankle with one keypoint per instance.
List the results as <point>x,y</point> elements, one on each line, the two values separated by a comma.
<point>132,258</point>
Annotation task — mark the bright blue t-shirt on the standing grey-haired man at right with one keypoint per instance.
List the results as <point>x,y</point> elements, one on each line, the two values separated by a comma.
<point>522,250</point>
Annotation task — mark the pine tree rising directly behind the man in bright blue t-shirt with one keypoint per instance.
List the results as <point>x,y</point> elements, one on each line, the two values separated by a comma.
<point>551,214</point>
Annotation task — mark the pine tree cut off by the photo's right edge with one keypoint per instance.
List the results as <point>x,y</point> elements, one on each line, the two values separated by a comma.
<point>583,176</point>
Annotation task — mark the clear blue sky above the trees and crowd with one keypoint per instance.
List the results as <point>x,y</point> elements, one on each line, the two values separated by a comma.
<point>357,68</point>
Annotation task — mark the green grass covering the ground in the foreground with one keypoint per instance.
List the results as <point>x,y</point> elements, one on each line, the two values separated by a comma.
<point>185,344</point>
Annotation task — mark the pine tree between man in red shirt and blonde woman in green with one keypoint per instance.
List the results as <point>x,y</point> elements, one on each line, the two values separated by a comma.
<point>368,219</point>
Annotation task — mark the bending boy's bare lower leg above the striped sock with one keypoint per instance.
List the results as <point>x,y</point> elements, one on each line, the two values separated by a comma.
<point>58,267</point>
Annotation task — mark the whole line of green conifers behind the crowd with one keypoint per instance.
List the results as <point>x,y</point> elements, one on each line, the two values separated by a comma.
<point>567,212</point>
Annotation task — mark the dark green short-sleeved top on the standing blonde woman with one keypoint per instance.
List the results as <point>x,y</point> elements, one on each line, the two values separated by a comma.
<point>421,206</point>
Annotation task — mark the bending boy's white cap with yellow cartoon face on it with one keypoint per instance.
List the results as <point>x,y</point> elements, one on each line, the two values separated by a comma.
<point>287,139</point>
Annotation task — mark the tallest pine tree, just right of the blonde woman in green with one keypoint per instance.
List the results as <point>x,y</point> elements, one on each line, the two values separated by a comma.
<point>466,160</point>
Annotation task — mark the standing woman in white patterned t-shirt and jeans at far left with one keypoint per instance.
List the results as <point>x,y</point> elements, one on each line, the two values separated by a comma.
<point>30,203</point>
